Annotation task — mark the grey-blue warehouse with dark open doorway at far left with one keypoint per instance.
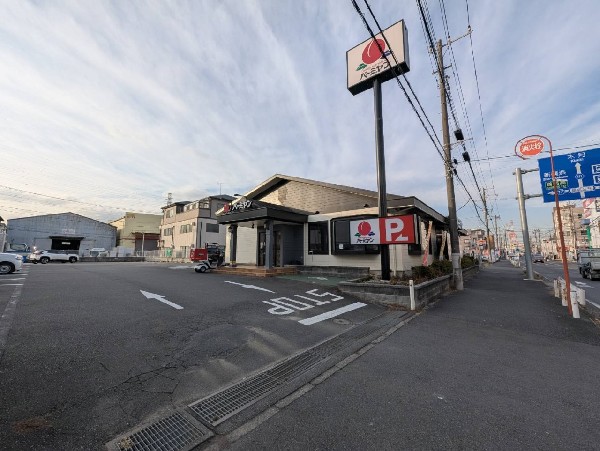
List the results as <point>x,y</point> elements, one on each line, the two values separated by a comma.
<point>62,231</point>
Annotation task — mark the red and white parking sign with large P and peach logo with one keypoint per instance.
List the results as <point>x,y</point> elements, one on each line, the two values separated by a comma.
<point>388,230</point>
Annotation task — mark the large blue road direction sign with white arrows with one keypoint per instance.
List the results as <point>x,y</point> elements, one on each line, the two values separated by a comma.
<point>577,175</point>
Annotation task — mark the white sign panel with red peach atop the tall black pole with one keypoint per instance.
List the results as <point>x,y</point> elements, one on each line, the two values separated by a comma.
<point>366,61</point>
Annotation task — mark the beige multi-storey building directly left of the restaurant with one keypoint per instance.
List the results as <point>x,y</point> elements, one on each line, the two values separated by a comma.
<point>189,225</point>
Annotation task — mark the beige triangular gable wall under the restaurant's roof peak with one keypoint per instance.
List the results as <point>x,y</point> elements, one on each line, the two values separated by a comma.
<point>312,198</point>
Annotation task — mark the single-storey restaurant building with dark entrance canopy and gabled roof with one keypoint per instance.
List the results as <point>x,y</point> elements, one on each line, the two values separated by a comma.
<point>294,221</point>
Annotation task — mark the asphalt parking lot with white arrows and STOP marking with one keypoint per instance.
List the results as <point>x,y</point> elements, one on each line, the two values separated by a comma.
<point>89,351</point>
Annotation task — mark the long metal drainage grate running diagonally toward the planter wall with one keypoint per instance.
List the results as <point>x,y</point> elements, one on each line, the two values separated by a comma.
<point>220,406</point>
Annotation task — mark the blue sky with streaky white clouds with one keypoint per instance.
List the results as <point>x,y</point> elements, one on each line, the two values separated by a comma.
<point>108,106</point>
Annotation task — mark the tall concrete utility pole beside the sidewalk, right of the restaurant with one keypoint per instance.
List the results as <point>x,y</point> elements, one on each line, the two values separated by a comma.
<point>456,268</point>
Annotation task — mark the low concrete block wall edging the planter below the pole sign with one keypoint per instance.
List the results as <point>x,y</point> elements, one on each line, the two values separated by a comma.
<point>399,295</point>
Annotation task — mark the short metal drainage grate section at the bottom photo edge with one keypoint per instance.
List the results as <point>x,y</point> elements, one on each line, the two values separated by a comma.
<point>175,432</point>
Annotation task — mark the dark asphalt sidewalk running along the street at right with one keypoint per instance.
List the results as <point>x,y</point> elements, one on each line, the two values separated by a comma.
<point>499,365</point>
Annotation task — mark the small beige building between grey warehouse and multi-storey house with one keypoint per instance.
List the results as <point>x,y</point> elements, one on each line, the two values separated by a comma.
<point>137,232</point>
